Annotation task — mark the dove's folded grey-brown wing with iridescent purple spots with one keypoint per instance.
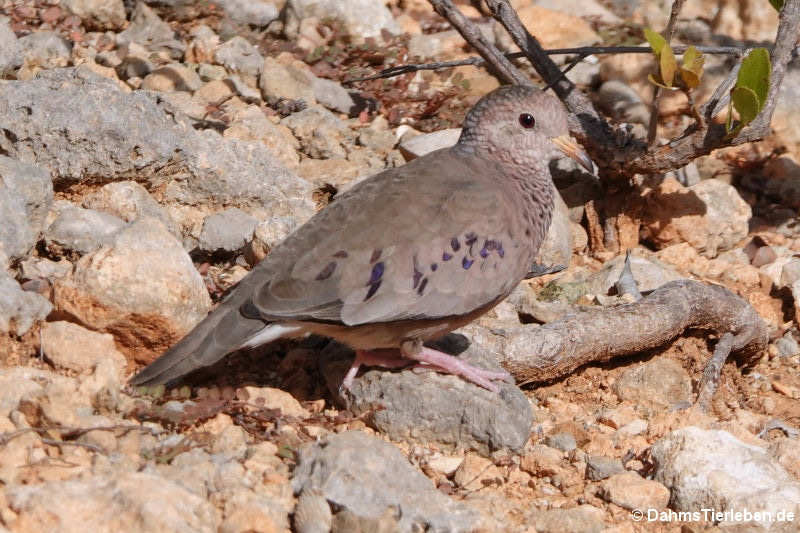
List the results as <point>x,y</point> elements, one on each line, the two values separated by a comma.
<point>434,238</point>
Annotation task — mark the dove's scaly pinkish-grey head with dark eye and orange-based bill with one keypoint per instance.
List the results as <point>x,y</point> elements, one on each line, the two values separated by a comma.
<point>521,126</point>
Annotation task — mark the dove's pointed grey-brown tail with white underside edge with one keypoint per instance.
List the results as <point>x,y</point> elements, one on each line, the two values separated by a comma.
<point>224,330</point>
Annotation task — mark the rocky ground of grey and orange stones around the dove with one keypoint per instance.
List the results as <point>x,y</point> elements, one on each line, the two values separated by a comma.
<point>152,152</point>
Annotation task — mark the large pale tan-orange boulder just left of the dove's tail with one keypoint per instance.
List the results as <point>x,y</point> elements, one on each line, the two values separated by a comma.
<point>143,287</point>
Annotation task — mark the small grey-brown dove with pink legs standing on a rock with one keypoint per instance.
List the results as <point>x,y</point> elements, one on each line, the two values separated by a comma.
<point>405,256</point>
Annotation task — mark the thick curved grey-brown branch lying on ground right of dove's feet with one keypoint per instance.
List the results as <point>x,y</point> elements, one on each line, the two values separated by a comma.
<point>602,334</point>
